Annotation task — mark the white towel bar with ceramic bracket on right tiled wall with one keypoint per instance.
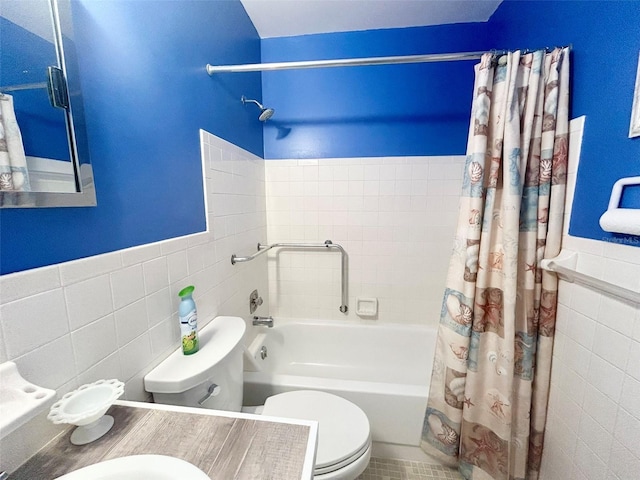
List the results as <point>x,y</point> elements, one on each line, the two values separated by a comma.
<point>565,266</point>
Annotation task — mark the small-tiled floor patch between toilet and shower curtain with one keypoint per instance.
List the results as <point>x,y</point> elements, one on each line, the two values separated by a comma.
<point>392,469</point>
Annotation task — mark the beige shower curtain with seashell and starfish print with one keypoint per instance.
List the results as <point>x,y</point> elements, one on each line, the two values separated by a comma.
<point>490,381</point>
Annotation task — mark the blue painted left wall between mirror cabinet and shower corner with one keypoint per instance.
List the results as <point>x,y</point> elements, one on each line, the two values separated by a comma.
<point>146,94</point>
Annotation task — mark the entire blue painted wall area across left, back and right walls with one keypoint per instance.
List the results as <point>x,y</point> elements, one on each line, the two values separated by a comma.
<point>146,95</point>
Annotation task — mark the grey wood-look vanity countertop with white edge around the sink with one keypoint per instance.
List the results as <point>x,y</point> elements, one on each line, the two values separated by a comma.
<point>224,445</point>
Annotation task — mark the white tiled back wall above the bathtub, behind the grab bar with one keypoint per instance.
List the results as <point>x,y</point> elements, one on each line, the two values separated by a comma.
<point>394,216</point>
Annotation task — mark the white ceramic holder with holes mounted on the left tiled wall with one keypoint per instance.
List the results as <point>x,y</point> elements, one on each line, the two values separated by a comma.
<point>20,400</point>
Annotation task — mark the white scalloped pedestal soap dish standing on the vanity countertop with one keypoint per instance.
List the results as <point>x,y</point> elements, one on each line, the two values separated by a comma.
<point>86,408</point>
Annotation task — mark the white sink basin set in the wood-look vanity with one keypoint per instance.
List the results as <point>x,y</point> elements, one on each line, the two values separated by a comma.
<point>135,467</point>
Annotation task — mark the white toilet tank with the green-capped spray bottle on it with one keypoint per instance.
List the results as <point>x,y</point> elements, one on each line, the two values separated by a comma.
<point>210,378</point>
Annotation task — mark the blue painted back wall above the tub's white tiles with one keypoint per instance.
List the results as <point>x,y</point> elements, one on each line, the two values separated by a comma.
<point>414,109</point>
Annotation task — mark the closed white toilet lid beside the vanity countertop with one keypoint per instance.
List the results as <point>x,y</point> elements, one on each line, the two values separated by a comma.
<point>343,428</point>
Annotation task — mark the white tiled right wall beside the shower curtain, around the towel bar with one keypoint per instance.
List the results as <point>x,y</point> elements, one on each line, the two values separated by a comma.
<point>593,423</point>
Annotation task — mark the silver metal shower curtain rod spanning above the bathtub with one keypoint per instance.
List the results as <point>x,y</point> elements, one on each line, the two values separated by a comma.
<point>347,62</point>
